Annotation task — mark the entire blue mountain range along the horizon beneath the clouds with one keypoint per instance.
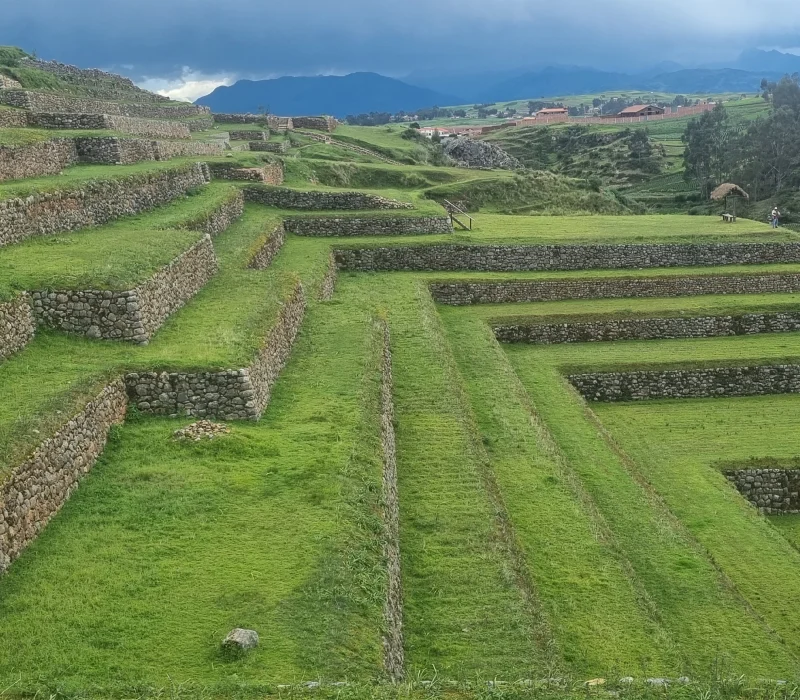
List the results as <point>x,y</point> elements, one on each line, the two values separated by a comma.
<point>370,92</point>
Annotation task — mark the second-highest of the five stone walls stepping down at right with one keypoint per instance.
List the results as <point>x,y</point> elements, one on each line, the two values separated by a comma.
<point>459,293</point>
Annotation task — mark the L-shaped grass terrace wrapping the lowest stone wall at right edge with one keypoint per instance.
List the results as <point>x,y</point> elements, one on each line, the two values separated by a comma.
<point>678,445</point>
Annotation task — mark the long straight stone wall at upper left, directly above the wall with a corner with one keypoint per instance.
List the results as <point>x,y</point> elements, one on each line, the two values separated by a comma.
<point>95,202</point>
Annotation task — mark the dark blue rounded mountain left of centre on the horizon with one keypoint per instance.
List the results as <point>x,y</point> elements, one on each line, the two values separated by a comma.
<point>337,96</point>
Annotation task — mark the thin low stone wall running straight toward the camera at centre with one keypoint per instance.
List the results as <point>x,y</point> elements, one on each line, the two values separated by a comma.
<point>393,650</point>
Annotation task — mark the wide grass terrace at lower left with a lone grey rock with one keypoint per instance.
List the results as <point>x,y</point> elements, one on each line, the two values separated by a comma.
<point>168,546</point>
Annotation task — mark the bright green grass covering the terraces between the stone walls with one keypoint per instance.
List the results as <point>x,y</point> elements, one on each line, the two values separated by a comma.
<point>544,540</point>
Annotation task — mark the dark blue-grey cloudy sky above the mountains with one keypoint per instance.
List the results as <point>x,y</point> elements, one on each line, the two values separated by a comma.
<point>190,46</point>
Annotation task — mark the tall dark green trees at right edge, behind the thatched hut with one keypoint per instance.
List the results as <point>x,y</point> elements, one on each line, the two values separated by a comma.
<point>763,157</point>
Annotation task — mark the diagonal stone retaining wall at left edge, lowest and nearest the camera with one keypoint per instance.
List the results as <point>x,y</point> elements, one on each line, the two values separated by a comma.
<point>37,489</point>
